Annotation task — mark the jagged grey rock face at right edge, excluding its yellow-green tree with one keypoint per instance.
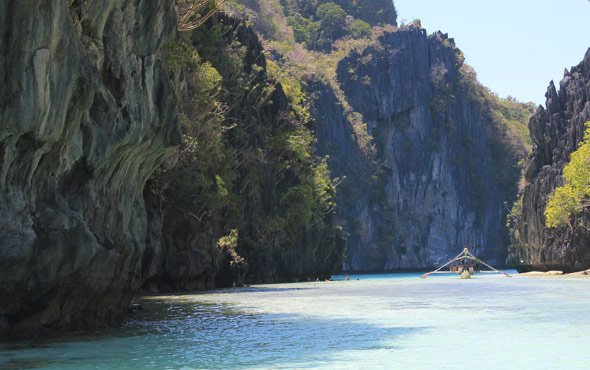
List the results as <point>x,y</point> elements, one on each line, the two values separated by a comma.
<point>556,132</point>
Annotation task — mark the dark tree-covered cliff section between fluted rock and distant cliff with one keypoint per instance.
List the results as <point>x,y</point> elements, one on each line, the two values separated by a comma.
<point>247,167</point>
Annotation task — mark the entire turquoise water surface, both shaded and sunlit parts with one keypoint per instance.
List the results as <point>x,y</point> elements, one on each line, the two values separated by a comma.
<point>394,321</point>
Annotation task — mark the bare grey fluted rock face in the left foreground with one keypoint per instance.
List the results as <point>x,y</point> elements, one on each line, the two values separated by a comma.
<point>87,113</point>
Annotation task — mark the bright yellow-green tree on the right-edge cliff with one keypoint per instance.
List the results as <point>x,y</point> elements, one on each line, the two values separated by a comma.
<point>574,196</point>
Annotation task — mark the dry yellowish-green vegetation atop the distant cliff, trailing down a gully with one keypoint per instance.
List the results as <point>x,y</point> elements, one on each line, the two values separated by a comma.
<point>307,39</point>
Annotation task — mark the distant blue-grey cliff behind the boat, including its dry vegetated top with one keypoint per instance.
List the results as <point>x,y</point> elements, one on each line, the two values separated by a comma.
<point>428,164</point>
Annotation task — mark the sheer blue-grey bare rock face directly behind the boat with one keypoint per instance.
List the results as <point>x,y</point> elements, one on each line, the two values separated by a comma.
<point>432,186</point>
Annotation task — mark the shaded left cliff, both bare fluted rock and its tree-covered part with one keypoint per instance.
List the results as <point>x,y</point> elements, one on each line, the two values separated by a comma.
<point>90,110</point>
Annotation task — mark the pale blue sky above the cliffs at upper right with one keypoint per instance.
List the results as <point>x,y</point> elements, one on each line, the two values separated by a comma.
<point>515,46</point>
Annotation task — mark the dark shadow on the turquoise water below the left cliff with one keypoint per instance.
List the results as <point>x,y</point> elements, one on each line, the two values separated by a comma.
<point>207,336</point>
